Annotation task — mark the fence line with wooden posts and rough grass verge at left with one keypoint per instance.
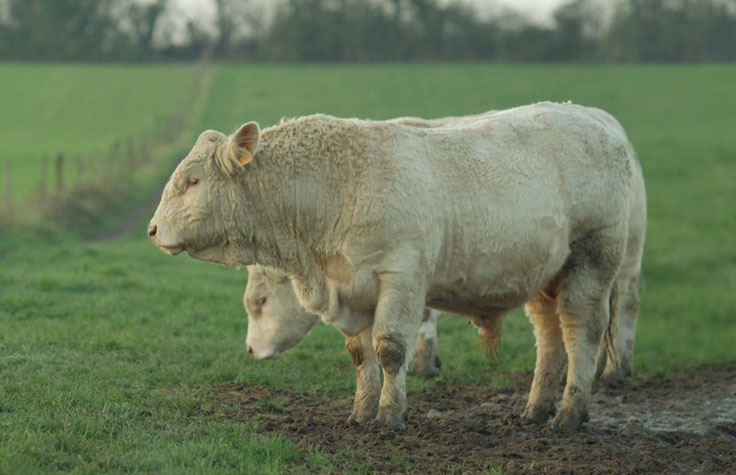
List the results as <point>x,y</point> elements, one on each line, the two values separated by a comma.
<point>82,191</point>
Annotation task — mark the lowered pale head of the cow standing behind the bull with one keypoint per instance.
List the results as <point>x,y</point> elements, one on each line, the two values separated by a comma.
<point>276,321</point>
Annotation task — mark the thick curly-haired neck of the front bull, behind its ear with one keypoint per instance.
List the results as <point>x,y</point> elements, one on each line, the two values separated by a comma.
<point>297,200</point>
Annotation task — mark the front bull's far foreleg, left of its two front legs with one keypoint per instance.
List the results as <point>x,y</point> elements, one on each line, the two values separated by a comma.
<point>368,379</point>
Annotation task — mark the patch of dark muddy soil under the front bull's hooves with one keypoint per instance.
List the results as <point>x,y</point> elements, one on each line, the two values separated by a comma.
<point>684,423</point>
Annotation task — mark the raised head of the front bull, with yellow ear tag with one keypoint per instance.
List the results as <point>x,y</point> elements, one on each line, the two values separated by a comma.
<point>196,213</point>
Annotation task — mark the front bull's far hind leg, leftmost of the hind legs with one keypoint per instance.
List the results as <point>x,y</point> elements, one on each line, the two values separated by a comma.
<point>542,311</point>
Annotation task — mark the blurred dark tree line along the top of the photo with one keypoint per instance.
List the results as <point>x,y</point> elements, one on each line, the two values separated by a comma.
<point>367,30</point>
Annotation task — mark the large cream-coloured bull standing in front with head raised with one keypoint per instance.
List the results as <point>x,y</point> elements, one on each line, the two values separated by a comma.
<point>527,205</point>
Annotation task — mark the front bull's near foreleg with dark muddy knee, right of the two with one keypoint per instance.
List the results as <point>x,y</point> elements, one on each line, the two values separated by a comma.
<point>398,316</point>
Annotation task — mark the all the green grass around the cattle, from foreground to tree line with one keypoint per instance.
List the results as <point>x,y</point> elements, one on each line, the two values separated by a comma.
<point>108,349</point>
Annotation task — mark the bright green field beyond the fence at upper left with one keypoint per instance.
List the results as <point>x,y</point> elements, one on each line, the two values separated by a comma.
<point>81,110</point>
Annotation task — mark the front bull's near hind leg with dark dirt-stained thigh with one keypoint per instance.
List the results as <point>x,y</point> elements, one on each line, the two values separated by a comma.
<point>584,291</point>
